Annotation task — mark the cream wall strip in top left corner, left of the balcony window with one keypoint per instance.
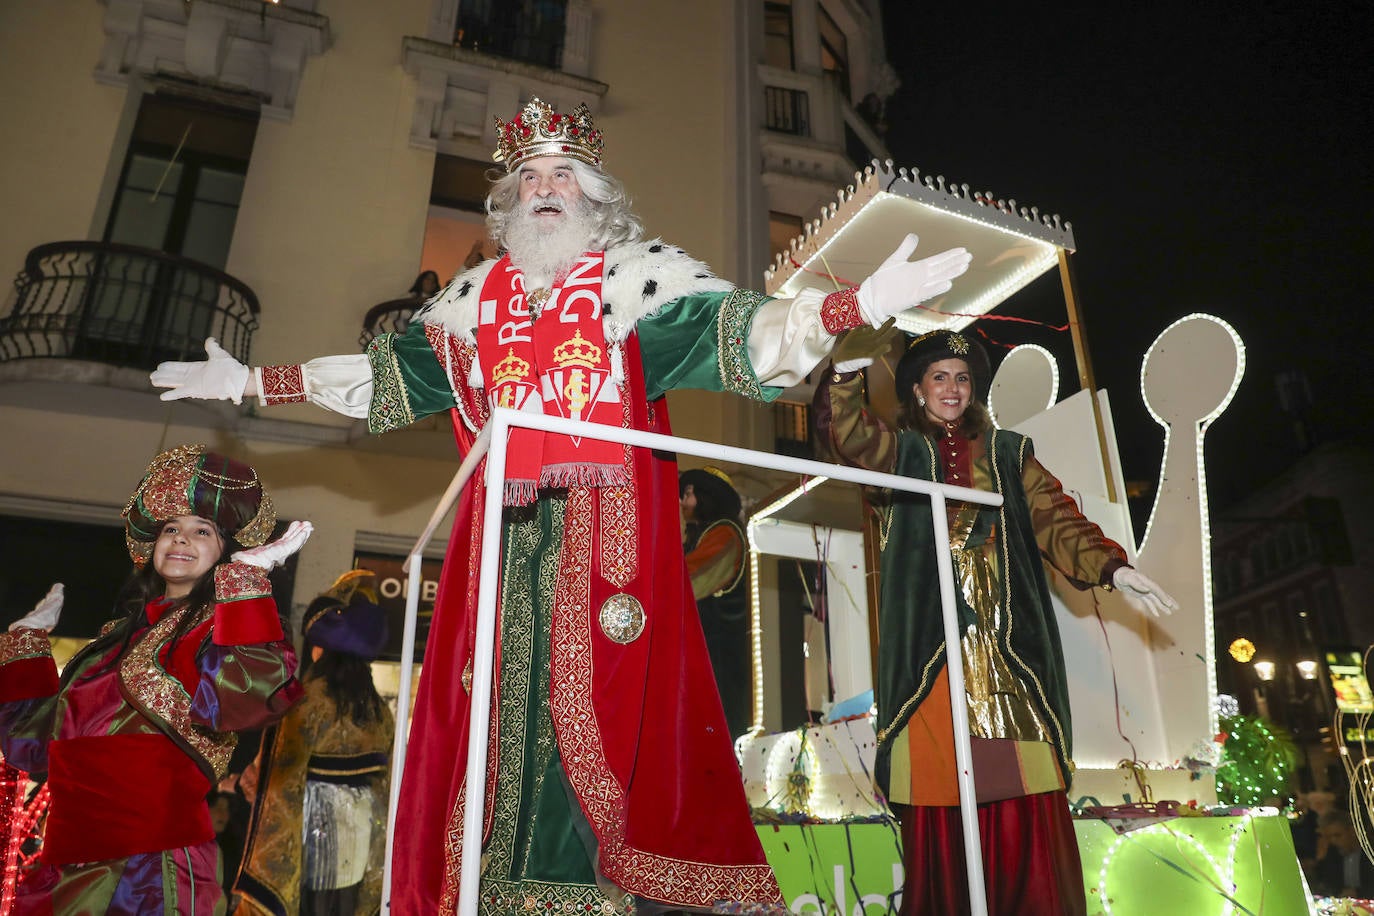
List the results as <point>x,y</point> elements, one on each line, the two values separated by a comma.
<point>58,126</point>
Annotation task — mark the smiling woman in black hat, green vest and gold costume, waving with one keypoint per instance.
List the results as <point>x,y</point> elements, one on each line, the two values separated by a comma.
<point>1016,689</point>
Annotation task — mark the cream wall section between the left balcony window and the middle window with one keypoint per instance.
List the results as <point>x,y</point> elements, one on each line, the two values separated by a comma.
<point>333,214</point>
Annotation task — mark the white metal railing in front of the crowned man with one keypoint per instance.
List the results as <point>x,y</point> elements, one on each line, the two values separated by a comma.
<point>493,443</point>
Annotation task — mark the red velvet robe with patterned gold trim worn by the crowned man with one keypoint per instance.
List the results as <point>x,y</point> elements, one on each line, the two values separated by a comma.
<point>641,730</point>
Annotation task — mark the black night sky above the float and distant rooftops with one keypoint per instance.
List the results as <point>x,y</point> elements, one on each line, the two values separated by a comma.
<point>1210,161</point>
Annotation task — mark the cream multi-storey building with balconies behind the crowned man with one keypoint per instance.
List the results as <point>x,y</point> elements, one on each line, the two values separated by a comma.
<point>277,175</point>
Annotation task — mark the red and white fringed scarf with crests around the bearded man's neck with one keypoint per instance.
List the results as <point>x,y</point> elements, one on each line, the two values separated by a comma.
<point>552,362</point>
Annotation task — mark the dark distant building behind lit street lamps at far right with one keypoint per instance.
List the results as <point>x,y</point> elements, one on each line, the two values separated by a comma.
<point>1294,568</point>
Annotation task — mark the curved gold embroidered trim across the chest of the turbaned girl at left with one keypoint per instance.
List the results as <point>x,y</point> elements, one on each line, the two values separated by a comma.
<point>161,696</point>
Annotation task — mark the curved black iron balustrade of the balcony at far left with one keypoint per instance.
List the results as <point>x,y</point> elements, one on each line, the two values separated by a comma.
<point>124,306</point>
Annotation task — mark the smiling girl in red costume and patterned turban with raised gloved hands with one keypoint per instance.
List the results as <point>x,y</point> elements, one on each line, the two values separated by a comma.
<point>142,723</point>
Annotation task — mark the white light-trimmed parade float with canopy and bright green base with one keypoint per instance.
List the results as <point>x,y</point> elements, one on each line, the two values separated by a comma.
<point>1144,690</point>
